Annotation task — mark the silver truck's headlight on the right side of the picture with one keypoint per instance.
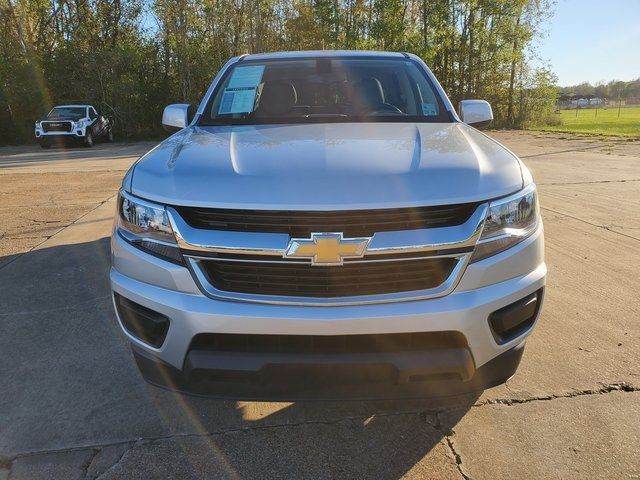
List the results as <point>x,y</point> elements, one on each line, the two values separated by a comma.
<point>509,221</point>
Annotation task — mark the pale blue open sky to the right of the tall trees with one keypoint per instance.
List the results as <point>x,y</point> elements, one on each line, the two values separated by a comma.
<point>593,40</point>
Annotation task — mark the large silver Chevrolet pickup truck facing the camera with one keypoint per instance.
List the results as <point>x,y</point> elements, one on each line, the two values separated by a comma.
<point>326,224</point>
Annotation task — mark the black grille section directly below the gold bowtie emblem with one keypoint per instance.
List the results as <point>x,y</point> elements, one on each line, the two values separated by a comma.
<point>350,279</point>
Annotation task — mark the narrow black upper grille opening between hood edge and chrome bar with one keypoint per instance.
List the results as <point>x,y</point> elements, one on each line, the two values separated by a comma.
<point>350,222</point>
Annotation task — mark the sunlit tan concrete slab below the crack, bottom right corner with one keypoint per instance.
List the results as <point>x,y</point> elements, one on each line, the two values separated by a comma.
<point>593,436</point>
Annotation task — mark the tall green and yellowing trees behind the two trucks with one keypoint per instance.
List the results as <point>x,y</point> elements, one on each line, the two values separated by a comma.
<point>132,57</point>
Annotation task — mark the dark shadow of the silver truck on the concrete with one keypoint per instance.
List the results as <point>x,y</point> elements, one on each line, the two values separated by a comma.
<point>69,380</point>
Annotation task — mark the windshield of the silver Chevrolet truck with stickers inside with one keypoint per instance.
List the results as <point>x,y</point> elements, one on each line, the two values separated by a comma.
<point>324,90</point>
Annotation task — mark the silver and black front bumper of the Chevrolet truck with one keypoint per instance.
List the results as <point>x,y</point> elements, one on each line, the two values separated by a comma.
<point>486,286</point>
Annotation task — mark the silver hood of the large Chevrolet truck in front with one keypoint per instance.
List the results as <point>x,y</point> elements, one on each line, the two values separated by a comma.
<point>326,166</point>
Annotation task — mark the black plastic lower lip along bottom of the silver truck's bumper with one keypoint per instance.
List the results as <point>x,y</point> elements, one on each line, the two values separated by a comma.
<point>320,381</point>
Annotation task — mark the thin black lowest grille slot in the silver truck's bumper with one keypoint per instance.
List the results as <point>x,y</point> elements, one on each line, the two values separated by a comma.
<point>328,344</point>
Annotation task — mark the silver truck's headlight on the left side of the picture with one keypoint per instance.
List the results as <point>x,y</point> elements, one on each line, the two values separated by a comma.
<point>146,226</point>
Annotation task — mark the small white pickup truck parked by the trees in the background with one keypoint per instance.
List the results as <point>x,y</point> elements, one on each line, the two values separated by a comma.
<point>78,123</point>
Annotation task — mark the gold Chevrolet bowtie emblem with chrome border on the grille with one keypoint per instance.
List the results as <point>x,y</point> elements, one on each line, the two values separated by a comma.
<point>326,248</point>
